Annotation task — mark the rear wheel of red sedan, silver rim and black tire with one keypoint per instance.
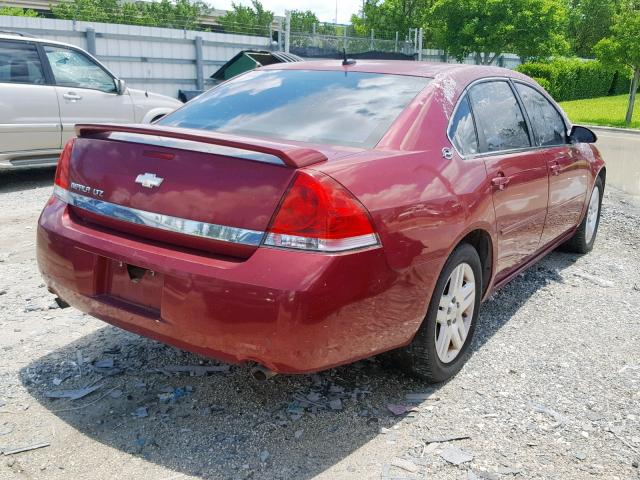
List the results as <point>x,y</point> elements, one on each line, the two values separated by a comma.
<point>441,345</point>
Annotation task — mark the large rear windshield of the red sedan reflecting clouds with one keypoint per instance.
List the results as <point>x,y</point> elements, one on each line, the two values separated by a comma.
<point>333,107</point>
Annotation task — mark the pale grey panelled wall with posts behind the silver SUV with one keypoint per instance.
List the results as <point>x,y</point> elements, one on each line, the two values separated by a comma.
<point>161,60</point>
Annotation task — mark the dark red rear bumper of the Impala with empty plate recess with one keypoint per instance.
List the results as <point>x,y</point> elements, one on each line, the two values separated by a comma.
<point>293,312</point>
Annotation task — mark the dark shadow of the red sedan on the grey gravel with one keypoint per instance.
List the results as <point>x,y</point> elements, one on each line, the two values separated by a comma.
<point>225,424</point>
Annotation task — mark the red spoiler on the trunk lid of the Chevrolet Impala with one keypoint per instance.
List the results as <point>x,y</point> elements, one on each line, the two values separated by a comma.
<point>291,155</point>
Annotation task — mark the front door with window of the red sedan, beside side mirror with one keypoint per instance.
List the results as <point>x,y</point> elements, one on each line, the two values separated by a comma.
<point>568,172</point>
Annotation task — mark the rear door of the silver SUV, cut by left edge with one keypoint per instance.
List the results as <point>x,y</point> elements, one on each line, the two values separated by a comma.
<point>29,113</point>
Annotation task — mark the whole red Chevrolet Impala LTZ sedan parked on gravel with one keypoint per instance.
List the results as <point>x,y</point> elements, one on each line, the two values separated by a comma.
<point>307,215</point>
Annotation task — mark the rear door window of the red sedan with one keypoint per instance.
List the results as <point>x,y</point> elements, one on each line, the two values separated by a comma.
<point>501,125</point>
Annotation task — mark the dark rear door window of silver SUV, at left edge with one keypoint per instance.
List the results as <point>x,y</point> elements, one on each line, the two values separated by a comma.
<point>20,63</point>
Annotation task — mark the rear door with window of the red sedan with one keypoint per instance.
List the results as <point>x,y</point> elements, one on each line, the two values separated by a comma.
<point>518,174</point>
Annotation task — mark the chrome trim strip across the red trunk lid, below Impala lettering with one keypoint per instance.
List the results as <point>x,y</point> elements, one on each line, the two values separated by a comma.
<point>211,231</point>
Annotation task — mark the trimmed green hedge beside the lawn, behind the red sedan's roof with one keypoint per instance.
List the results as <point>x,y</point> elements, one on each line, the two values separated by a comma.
<point>574,79</point>
